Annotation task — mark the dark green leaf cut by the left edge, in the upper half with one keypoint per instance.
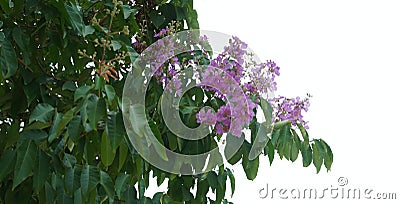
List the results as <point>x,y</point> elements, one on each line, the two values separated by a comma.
<point>8,59</point>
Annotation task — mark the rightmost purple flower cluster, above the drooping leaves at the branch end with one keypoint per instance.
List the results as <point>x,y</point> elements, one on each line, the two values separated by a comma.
<point>290,109</point>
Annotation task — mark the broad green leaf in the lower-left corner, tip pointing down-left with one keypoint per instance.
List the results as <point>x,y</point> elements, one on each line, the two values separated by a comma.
<point>26,154</point>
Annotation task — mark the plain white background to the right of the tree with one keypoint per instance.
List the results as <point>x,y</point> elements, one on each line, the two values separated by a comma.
<point>346,54</point>
